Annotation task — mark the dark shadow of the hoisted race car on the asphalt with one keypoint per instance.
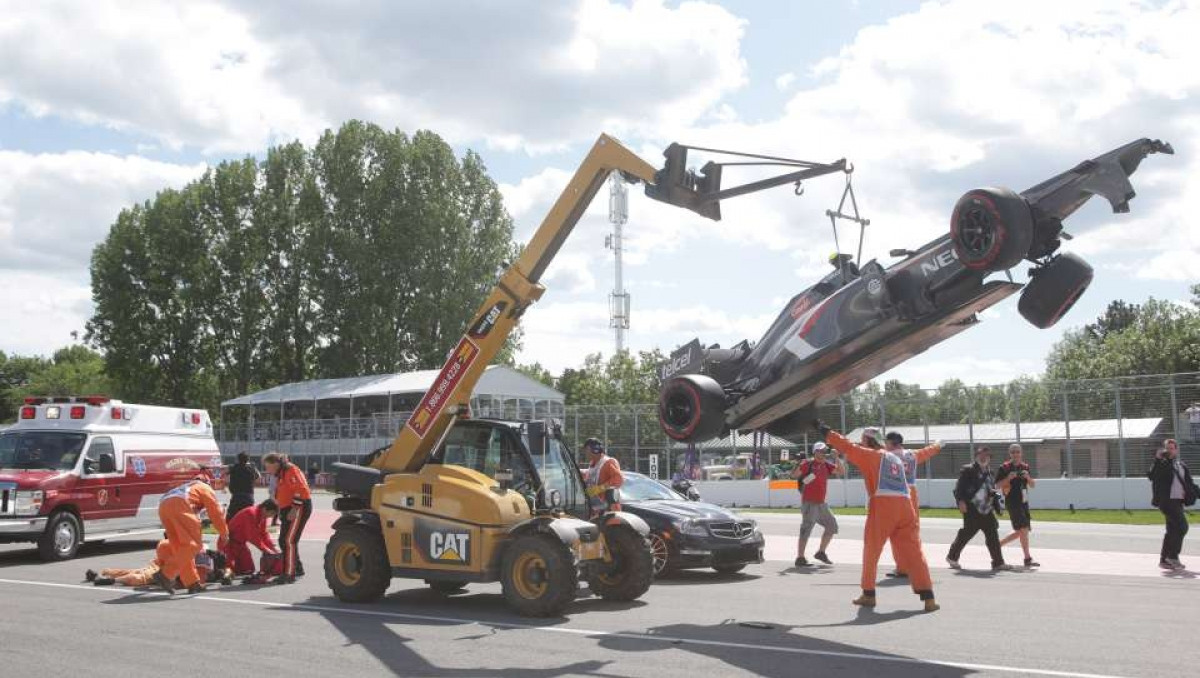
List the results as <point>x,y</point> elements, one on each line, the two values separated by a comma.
<point>723,641</point>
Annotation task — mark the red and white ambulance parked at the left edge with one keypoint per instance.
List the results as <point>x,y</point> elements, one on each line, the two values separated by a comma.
<point>76,470</point>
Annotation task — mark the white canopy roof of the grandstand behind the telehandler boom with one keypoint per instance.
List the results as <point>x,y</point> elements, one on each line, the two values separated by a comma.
<point>499,381</point>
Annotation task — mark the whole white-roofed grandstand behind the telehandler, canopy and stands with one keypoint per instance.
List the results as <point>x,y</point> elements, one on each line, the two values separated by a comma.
<point>346,418</point>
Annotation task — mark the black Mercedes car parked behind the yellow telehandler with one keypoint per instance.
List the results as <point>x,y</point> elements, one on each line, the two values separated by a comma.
<point>687,535</point>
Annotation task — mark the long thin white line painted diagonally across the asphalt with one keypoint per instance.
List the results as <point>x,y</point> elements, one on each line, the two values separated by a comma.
<point>586,633</point>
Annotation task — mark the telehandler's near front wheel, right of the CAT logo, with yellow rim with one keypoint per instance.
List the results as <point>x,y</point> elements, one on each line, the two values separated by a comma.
<point>539,578</point>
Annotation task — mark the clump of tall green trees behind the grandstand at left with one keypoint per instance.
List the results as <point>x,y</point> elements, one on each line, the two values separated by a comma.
<point>367,254</point>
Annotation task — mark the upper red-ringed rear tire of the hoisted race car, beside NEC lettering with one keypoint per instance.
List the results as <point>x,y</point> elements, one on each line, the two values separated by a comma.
<point>992,230</point>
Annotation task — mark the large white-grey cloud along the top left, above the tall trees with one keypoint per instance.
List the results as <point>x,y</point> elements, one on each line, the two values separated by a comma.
<point>233,77</point>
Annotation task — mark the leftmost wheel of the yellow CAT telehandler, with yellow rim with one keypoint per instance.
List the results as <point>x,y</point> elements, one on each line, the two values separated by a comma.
<point>357,568</point>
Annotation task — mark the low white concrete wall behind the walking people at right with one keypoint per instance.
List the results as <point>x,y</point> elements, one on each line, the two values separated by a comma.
<point>1051,494</point>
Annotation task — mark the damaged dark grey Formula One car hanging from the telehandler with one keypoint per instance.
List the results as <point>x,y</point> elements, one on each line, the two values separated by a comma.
<point>861,321</point>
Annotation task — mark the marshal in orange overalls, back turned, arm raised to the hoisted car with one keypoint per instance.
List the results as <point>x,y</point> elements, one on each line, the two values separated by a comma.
<point>890,515</point>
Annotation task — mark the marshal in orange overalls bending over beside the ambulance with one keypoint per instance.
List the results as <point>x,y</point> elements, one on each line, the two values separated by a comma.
<point>179,512</point>
